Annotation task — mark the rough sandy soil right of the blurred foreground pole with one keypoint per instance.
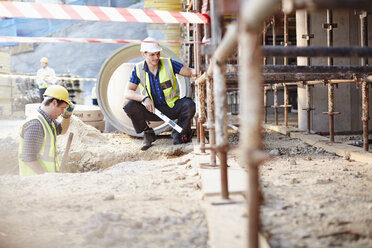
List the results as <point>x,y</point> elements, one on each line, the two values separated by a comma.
<point>313,198</point>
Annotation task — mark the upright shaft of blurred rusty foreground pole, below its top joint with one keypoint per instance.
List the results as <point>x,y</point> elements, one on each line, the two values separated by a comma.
<point>251,118</point>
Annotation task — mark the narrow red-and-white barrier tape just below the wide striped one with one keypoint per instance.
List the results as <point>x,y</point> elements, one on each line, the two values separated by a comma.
<point>81,40</point>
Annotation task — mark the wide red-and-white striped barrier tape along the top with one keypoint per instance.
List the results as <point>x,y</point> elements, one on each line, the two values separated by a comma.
<point>96,13</point>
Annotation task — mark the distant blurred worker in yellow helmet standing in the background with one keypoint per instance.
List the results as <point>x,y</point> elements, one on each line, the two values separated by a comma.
<point>46,77</point>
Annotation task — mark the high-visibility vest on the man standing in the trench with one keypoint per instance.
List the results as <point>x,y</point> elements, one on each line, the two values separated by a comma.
<point>47,156</point>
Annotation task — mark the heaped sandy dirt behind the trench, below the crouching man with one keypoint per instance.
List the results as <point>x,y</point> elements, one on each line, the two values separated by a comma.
<point>92,150</point>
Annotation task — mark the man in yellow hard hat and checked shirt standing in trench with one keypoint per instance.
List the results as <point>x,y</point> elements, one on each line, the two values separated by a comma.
<point>37,148</point>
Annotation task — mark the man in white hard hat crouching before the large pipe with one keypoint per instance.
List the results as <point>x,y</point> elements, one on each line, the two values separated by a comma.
<point>158,85</point>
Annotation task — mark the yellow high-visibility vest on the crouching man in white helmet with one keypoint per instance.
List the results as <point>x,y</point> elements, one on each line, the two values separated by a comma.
<point>167,79</point>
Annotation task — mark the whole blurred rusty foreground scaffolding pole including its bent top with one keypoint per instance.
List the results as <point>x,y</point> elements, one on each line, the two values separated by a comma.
<point>252,15</point>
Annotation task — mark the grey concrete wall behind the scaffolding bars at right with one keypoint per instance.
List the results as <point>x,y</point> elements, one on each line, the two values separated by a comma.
<point>347,96</point>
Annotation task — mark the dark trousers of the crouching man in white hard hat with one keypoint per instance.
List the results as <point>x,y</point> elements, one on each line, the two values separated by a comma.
<point>183,111</point>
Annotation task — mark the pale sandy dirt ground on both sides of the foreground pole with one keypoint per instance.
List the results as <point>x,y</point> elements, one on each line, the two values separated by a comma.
<point>130,198</point>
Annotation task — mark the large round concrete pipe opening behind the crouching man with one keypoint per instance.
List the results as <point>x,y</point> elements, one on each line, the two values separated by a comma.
<point>112,85</point>
